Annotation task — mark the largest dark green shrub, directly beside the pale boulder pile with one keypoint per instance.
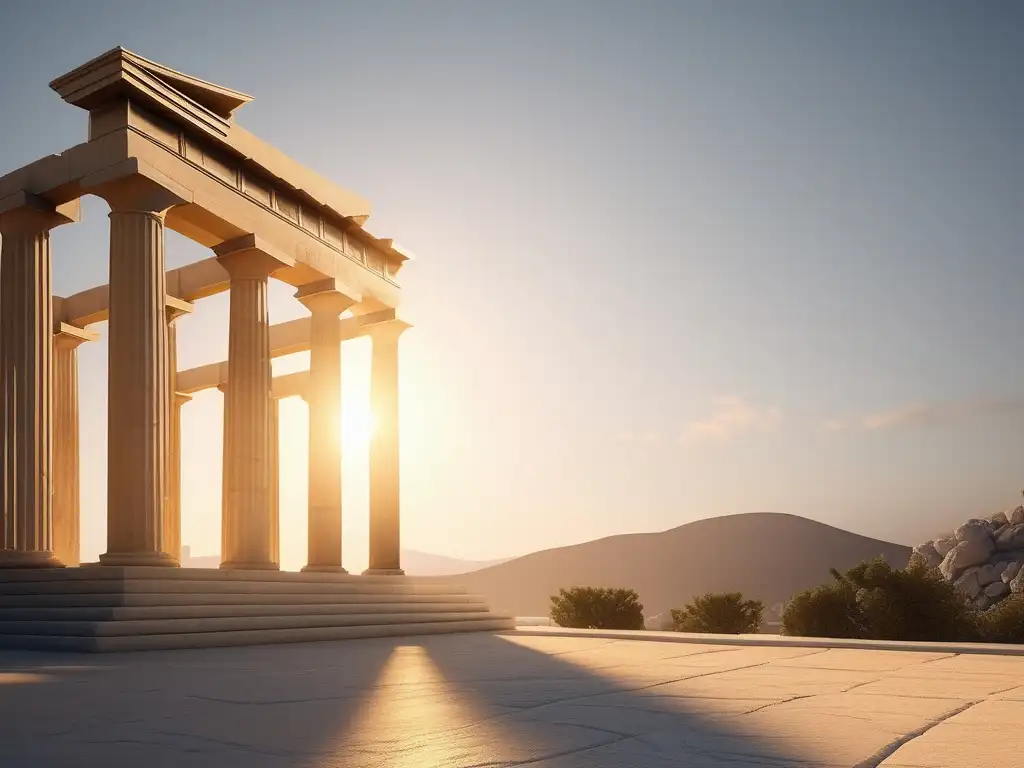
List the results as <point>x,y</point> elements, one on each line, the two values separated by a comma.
<point>875,602</point>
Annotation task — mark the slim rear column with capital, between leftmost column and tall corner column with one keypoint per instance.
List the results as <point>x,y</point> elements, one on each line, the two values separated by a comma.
<point>67,525</point>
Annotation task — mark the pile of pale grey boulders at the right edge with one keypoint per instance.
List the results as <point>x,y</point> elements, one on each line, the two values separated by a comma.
<point>984,558</point>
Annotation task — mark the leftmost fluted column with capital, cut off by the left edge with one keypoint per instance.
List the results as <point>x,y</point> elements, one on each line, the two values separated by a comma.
<point>26,378</point>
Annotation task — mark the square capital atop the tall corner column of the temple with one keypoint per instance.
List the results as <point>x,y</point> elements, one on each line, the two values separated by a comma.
<point>134,185</point>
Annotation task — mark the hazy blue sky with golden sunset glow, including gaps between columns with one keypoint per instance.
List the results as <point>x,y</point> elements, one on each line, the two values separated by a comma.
<point>674,260</point>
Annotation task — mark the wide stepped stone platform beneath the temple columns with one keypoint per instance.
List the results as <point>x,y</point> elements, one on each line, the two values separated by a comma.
<point>104,609</point>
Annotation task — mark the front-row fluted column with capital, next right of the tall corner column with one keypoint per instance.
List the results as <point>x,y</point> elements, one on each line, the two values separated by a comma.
<point>247,540</point>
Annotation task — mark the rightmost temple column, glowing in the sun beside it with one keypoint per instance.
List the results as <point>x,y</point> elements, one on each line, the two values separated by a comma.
<point>386,557</point>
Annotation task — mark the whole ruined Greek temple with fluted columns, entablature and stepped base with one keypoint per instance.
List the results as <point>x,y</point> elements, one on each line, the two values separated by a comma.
<point>164,150</point>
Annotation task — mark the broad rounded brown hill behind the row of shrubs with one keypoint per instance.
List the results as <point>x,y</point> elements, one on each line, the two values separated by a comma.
<point>765,556</point>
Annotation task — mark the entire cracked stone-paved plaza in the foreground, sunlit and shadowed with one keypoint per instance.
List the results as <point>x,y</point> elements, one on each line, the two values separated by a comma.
<point>513,700</point>
